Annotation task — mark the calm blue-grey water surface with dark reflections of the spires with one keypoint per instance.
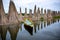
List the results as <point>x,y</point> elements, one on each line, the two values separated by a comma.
<point>42,30</point>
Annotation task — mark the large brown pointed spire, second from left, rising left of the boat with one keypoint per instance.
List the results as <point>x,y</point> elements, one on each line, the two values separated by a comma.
<point>13,14</point>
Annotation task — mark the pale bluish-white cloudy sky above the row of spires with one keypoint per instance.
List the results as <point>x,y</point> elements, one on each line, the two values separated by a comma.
<point>29,4</point>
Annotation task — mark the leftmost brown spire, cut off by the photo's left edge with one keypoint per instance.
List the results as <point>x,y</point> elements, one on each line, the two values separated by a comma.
<point>3,18</point>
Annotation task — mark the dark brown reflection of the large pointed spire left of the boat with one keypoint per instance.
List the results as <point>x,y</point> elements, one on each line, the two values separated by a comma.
<point>13,29</point>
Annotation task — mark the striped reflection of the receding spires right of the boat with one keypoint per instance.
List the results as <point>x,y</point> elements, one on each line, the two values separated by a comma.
<point>42,24</point>
